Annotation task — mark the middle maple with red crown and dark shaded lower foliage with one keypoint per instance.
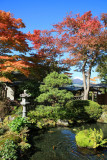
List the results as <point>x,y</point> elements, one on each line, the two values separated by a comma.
<point>46,55</point>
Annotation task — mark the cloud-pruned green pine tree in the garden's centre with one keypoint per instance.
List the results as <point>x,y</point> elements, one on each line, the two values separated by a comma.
<point>51,95</point>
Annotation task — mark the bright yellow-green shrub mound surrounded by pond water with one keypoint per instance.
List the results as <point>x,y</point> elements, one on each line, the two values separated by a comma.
<point>90,138</point>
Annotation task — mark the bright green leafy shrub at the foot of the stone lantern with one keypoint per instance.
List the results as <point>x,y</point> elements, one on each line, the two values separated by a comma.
<point>17,124</point>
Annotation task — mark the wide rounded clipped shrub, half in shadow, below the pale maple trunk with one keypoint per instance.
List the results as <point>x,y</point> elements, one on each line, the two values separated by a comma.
<point>83,110</point>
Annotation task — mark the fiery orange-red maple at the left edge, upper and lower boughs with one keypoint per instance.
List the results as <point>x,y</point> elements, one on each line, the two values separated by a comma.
<point>11,39</point>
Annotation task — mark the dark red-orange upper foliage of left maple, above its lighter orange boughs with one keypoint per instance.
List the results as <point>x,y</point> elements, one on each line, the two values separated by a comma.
<point>11,38</point>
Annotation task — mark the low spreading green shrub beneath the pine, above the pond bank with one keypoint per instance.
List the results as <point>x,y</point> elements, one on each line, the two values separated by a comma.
<point>44,116</point>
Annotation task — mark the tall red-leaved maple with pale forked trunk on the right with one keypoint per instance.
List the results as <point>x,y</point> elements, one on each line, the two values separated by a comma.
<point>85,39</point>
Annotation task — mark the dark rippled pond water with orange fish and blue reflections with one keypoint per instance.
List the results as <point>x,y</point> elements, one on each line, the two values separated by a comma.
<point>59,144</point>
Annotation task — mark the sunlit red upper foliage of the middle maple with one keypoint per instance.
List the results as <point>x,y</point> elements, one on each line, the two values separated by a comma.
<point>44,43</point>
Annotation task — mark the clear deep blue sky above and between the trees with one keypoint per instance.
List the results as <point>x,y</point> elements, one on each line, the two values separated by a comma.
<point>42,14</point>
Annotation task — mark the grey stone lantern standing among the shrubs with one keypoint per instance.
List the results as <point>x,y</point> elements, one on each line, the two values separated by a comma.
<point>24,102</point>
